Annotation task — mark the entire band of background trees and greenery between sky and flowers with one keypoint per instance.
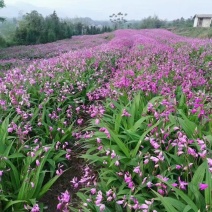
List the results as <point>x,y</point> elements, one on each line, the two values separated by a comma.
<point>33,28</point>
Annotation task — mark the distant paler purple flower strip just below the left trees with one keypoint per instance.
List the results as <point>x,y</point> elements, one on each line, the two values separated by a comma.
<point>23,55</point>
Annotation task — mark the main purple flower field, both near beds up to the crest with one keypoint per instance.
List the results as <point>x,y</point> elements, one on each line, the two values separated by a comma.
<point>136,109</point>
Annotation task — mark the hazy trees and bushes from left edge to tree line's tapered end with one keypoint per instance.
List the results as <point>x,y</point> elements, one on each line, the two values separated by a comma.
<point>33,28</point>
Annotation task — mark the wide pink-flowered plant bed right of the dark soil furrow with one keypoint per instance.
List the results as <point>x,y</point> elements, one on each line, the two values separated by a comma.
<point>151,150</point>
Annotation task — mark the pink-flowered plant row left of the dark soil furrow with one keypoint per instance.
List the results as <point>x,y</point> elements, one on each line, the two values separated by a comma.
<point>38,118</point>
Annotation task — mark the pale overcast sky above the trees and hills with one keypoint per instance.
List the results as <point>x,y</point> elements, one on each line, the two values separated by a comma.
<point>136,9</point>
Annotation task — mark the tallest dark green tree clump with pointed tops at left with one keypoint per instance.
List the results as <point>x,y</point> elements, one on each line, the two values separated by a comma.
<point>34,28</point>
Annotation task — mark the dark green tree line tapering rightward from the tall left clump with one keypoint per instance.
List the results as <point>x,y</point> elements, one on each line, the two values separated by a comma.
<point>35,29</point>
